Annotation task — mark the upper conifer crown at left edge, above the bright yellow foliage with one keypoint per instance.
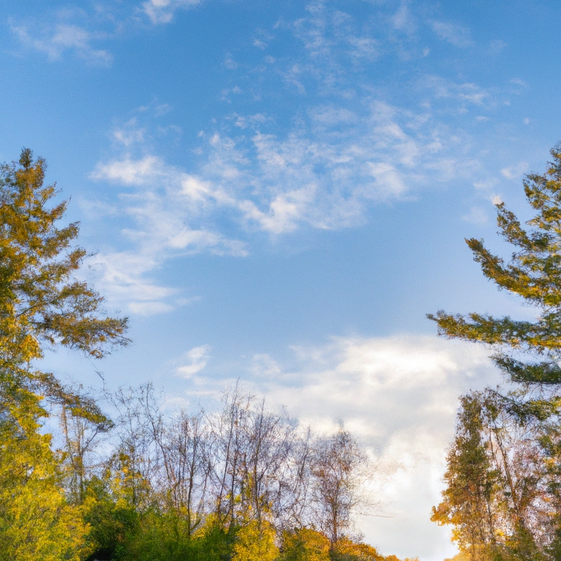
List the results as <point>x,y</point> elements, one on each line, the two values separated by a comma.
<point>41,301</point>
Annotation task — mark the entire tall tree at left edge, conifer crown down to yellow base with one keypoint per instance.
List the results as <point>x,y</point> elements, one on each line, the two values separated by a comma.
<point>42,304</point>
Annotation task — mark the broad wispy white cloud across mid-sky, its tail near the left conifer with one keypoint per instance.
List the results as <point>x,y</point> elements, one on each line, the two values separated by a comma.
<point>324,173</point>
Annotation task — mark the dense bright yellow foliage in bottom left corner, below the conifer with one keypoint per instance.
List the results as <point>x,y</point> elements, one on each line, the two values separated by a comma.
<point>36,523</point>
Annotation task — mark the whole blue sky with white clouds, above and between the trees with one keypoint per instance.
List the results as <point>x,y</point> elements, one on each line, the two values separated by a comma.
<point>277,192</point>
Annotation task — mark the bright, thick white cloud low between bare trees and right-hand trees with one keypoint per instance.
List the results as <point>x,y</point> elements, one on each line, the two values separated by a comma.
<point>399,396</point>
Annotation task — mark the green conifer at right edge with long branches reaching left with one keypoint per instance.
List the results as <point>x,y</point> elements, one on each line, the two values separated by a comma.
<point>534,273</point>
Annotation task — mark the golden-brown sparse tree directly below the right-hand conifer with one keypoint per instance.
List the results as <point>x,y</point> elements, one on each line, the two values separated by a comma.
<point>498,493</point>
